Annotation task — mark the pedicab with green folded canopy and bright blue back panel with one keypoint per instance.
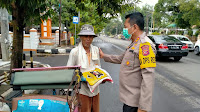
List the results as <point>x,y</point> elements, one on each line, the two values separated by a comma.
<point>61,78</point>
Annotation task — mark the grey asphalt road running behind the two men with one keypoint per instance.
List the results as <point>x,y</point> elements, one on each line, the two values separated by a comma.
<point>176,85</point>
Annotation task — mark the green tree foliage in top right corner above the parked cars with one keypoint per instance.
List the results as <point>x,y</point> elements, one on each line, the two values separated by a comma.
<point>182,12</point>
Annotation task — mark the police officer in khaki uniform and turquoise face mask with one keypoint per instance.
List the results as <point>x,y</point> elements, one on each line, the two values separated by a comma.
<point>137,66</point>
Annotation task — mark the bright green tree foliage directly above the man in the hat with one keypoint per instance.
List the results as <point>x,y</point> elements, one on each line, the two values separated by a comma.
<point>102,12</point>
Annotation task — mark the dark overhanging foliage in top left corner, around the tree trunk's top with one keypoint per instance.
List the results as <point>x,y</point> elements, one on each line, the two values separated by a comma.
<point>32,10</point>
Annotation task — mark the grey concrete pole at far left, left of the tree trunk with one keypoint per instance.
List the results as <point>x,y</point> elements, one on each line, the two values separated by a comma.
<point>4,34</point>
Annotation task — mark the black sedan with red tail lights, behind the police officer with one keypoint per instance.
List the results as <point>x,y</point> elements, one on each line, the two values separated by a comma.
<point>168,46</point>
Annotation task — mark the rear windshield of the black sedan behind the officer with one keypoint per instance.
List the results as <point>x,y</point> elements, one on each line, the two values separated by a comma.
<point>164,39</point>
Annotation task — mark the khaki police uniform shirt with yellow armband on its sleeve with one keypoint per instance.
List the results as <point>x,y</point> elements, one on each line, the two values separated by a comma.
<point>136,73</point>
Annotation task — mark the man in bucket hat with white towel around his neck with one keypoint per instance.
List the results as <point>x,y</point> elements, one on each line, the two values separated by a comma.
<point>87,56</point>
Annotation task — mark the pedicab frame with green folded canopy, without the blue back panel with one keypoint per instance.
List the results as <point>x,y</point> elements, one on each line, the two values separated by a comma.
<point>26,78</point>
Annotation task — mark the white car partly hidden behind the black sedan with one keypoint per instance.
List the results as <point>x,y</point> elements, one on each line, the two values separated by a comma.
<point>185,40</point>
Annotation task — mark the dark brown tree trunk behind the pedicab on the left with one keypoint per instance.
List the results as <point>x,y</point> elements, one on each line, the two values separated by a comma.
<point>18,37</point>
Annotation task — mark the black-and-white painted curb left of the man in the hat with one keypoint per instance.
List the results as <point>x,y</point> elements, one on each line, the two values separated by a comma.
<point>54,51</point>
